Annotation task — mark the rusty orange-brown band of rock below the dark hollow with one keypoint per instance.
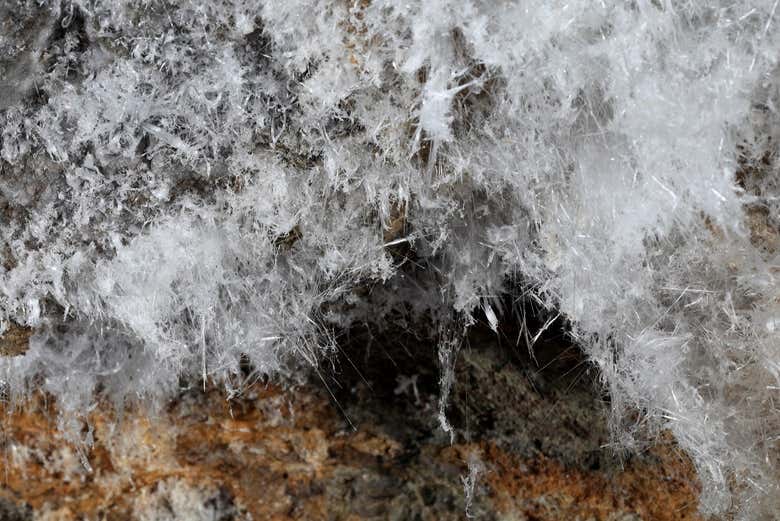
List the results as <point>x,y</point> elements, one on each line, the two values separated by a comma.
<point>288,455</point>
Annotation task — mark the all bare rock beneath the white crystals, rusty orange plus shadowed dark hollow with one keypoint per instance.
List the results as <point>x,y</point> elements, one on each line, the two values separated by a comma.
<point>532,431</point>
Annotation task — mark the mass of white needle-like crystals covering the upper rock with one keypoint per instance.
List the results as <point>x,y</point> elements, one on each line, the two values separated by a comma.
<point>187,186</point>
